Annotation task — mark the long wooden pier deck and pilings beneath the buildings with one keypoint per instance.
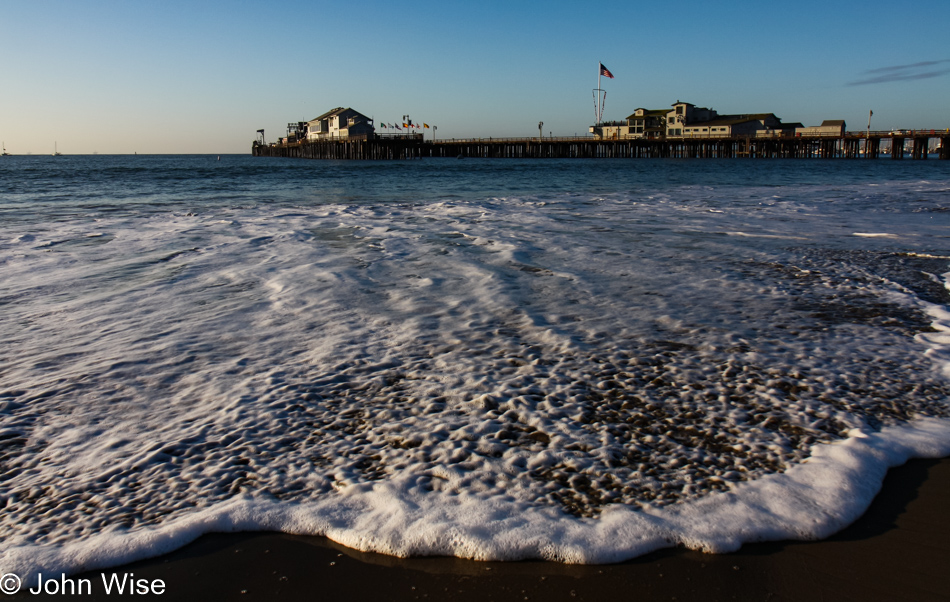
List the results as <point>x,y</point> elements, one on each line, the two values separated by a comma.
<point>852,145</point>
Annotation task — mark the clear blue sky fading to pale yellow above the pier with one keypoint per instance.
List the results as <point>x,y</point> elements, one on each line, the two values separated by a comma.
<point>183,76</point>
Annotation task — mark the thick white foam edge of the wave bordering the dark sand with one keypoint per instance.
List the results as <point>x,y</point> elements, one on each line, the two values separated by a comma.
<point>811,500</point>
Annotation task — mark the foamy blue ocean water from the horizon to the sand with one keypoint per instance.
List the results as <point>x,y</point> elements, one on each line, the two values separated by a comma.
<point>581,361</point>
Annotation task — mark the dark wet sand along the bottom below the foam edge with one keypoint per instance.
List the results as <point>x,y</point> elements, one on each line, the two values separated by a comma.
<point>899,550</point>
